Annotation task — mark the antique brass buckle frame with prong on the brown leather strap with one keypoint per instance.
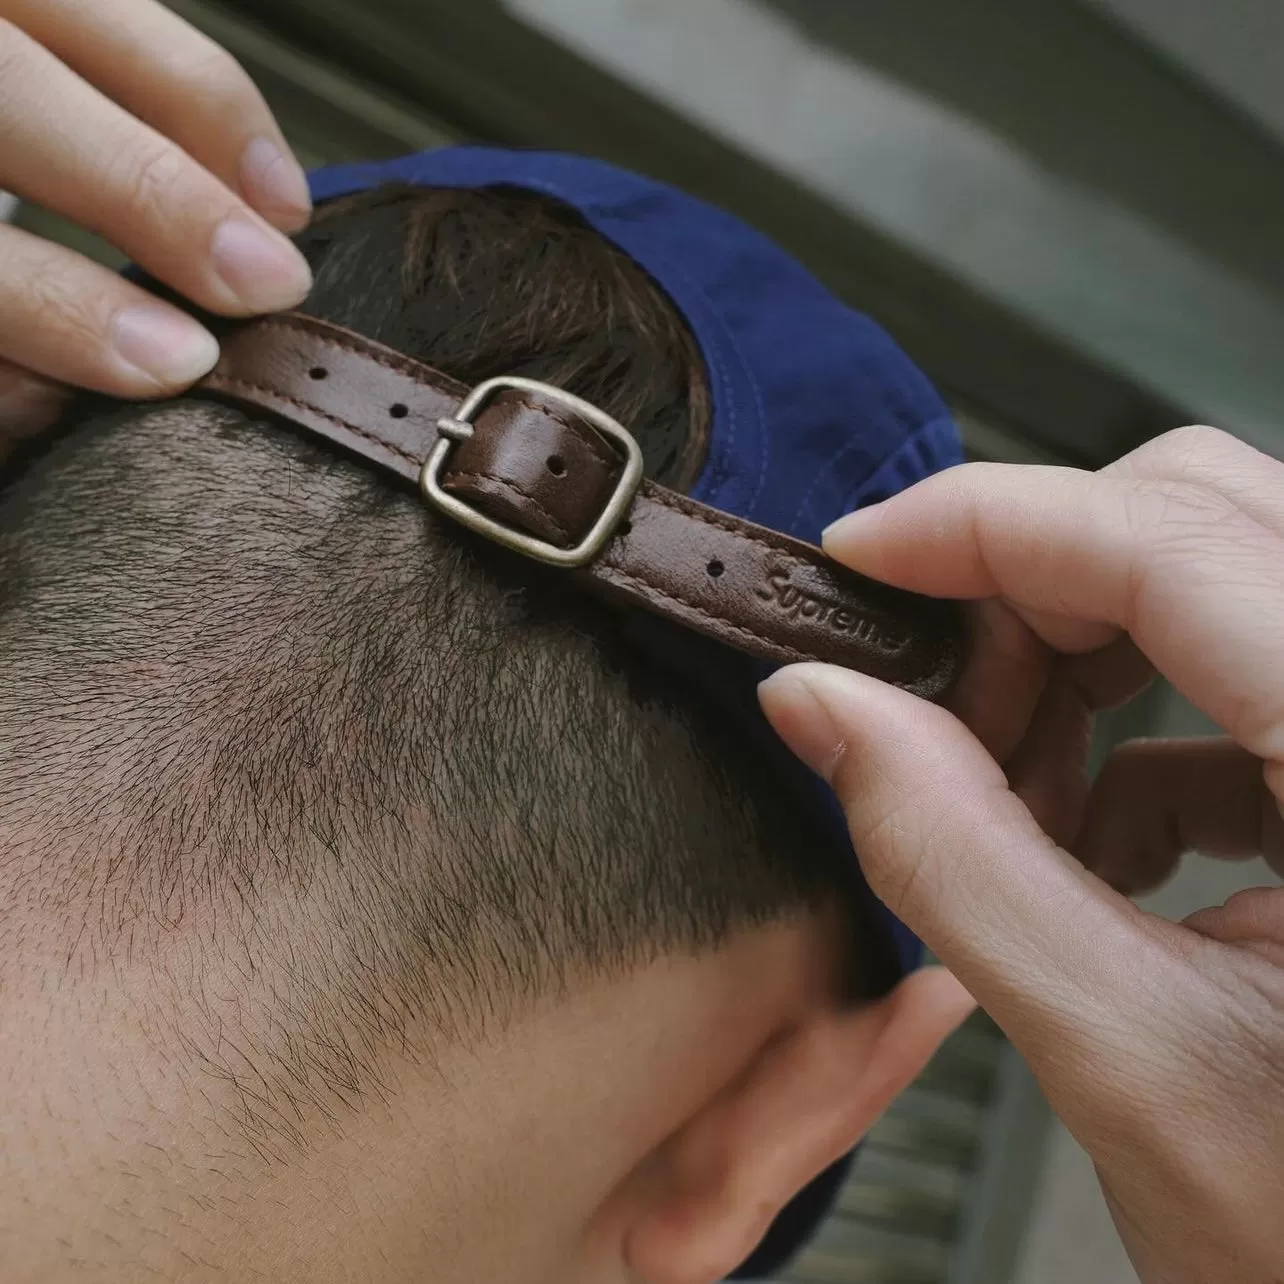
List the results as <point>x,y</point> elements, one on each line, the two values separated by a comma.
<point>459,428</point>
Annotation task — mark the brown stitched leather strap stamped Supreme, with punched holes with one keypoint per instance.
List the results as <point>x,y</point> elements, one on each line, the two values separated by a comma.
<point>536,467</point>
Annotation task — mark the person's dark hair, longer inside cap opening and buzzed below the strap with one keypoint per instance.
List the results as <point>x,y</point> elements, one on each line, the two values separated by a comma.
<point>268,725</point>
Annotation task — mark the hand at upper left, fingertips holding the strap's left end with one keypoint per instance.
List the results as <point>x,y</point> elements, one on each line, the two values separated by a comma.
<point>120,116</point>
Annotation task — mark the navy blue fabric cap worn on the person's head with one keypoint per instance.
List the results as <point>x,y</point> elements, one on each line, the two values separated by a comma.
<point>816,412</point>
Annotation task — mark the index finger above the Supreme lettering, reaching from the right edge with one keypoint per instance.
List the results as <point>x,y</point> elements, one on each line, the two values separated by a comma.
<point>1197,584</point>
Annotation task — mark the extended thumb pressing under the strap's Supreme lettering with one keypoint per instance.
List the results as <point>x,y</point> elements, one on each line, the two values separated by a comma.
<point>1041,943</point>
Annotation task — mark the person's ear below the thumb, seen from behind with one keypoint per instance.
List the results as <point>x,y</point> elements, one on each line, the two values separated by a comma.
<point>711,1195</point>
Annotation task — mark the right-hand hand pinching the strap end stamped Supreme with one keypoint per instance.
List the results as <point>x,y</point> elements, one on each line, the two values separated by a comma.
<point>1160,1045</point>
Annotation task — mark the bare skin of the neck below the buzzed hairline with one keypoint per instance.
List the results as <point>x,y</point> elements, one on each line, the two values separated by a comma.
<point>128,1154</point>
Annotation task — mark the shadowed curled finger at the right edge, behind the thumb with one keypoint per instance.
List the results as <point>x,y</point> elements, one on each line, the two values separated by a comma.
<point>1156,801</point>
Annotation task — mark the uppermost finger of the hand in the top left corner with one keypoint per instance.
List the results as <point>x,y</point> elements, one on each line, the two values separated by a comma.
<point>179,82</point>
